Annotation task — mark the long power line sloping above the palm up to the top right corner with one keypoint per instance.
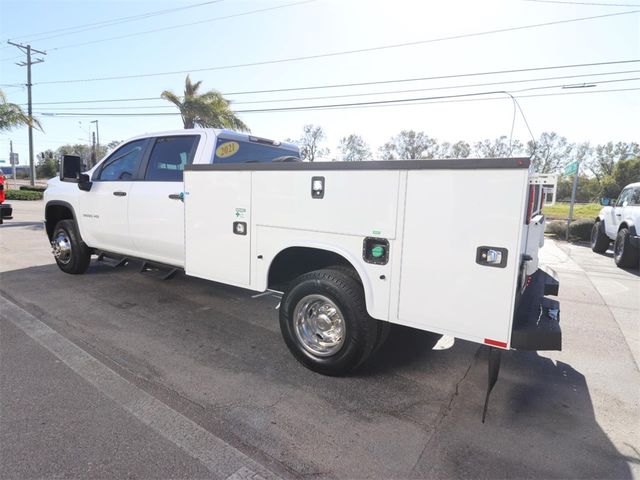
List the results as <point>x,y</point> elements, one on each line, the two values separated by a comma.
<point>343,52</point>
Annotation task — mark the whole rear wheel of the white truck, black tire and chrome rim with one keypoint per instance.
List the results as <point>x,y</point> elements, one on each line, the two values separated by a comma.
<point>325,324</point>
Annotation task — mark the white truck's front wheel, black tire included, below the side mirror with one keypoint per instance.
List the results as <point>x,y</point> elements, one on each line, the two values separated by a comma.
<point>76,258</point>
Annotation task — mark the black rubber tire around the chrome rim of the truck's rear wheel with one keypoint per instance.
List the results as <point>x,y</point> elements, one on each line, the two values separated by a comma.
<point>347,295</point>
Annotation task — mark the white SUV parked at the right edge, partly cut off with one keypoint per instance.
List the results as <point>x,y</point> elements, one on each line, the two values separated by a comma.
<point>619,222</point>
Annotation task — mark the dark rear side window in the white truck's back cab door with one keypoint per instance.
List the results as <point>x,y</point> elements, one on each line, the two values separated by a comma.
<point>169,156</point>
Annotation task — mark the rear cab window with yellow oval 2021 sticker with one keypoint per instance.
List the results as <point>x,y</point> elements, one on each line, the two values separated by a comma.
<point>238,148</point>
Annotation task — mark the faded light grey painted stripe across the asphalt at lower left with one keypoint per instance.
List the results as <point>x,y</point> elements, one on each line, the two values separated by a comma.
<point>221,458</point>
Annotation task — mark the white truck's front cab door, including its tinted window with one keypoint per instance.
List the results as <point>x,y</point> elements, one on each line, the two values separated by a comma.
<point>103,210</point>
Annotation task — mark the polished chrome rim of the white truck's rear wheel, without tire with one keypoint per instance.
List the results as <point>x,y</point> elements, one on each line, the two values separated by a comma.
<point>319,325</point>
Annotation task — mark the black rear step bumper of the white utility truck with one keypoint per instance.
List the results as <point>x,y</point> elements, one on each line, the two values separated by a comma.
<point>536,323</point>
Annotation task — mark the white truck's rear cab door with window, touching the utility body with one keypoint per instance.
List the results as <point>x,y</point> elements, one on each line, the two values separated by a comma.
<point>156,206</point>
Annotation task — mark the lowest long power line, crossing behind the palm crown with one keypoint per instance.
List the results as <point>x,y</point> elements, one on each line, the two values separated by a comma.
<point>402,102</point>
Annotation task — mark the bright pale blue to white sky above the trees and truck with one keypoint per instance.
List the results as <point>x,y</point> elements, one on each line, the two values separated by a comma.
<point>222,37</point>
